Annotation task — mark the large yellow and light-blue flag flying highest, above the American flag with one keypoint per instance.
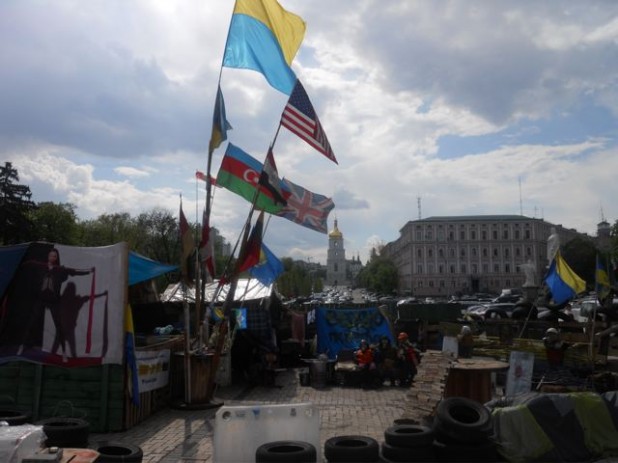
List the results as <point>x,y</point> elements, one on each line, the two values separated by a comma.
<point>264,37</point>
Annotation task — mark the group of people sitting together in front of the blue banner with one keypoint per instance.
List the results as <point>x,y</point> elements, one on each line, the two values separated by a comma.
<point>385,362</point>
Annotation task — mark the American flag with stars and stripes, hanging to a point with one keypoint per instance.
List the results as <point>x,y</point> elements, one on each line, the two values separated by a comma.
<point>300,118</point>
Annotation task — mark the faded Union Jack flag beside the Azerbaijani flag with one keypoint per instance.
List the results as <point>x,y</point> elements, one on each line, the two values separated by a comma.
<point>306,208</point>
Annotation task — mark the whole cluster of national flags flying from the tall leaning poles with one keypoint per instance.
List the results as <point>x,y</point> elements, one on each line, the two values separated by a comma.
<point>264,37</point>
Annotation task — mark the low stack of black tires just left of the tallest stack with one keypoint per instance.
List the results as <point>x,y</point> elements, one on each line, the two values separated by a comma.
<point>408,442</point>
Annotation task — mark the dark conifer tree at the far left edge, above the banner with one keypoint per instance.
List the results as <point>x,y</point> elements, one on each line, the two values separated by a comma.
<point>15,207</point>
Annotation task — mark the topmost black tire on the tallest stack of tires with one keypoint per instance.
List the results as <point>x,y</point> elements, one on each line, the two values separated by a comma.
<point>462,419</point>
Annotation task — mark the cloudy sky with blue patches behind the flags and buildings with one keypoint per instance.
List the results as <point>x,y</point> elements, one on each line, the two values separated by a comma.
<point>432,108</point>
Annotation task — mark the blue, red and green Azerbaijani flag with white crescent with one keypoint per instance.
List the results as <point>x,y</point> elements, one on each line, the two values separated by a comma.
<point>240,173</point>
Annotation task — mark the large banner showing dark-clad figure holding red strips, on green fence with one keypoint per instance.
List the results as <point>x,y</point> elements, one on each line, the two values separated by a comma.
<point>63,305</point>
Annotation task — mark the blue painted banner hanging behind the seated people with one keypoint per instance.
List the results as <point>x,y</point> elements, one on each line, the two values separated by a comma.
<point>345,328</point>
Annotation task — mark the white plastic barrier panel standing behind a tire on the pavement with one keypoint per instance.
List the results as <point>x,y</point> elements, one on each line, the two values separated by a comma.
<point>240,430</point>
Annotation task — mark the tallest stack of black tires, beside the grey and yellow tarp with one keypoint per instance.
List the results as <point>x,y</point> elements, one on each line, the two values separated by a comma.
<point>463,432</point>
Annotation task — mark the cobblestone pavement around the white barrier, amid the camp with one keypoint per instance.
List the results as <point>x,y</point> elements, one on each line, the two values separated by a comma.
<point>173,436</point>
